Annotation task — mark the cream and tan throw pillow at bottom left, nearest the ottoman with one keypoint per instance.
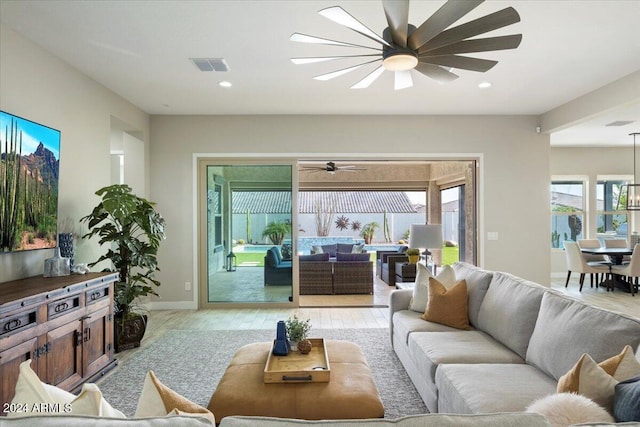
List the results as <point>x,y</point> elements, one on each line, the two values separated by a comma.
<point>157,399</point>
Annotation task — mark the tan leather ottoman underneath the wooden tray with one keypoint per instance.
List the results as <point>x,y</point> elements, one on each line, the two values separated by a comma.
<point>350,393</point>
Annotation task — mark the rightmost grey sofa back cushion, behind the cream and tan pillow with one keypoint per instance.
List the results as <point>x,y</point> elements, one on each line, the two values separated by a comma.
<point>567,328</point>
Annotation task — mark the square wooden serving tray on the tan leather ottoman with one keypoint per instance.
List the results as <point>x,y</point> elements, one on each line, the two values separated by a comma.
<point>299,368</point>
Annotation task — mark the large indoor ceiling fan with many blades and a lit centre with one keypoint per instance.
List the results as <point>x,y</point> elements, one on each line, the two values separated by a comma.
<point>432,49</point>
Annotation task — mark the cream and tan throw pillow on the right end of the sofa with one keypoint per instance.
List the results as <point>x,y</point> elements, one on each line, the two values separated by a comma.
<point>597,381</point>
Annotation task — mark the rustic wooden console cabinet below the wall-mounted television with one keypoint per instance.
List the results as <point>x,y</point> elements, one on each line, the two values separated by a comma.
<point>63,324</point>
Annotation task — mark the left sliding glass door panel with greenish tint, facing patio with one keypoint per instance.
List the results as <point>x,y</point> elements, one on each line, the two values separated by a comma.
<point>246,212</point>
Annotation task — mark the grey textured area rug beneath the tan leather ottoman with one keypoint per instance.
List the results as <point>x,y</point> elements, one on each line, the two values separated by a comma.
<point>192,363</point>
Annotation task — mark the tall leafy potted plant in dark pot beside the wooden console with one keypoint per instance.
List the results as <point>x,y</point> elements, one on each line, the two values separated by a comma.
<point>132,230</point>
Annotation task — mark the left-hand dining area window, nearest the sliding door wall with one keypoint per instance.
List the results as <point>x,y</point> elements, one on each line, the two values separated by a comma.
<point>567,211</point>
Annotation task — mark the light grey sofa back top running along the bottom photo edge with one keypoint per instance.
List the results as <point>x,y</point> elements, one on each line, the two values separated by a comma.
<point>426,420</point>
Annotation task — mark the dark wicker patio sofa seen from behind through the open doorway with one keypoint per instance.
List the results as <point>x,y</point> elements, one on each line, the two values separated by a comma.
<point>346,274</point>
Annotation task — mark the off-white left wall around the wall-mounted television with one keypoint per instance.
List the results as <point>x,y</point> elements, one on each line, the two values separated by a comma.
<point>39,87</point>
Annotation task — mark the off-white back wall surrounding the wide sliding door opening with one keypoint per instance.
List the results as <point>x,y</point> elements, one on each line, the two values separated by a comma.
<point>514,194</point>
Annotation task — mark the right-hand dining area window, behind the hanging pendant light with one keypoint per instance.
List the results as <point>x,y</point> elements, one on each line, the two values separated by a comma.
<point>611,217</point>
